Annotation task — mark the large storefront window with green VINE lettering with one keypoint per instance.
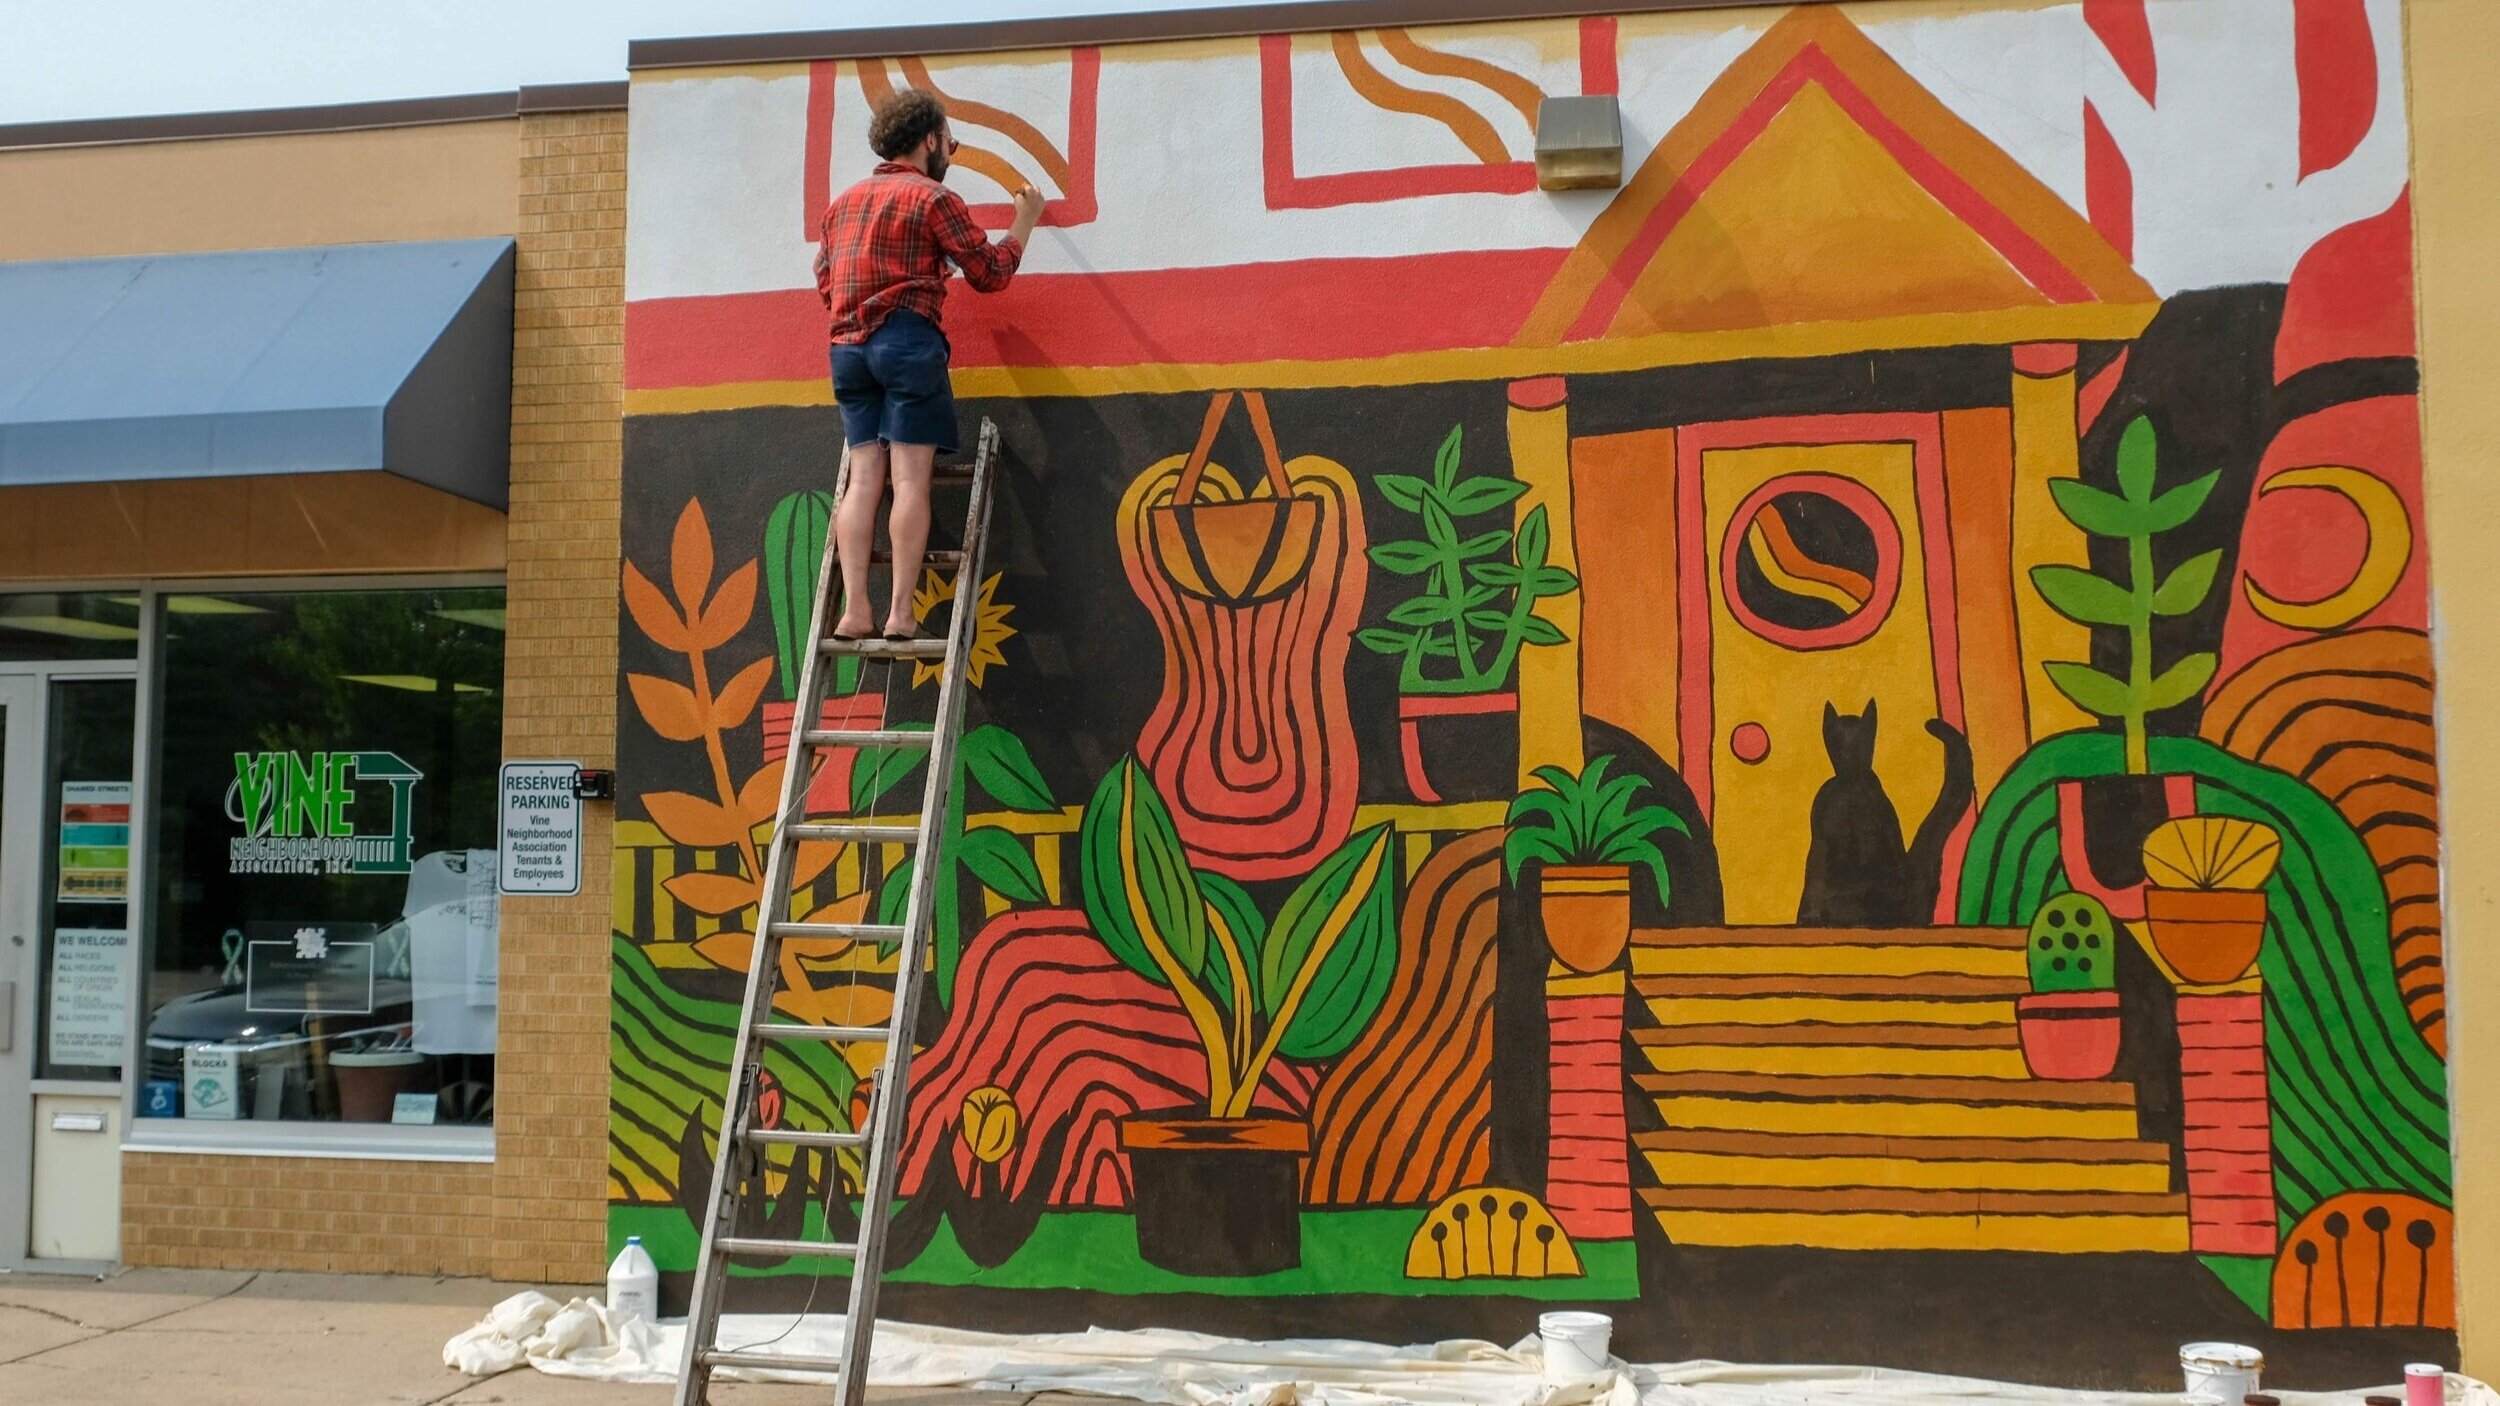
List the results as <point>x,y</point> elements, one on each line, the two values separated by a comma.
<point>324,924</point>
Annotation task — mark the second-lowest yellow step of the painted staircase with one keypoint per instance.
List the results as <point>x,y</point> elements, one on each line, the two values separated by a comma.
<point>1689,1157</point>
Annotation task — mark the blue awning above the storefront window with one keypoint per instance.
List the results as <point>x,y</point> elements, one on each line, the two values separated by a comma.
<point>266,362</point>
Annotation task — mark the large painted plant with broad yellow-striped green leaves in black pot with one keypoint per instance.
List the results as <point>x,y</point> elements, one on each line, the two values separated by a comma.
<point>1219,1190</point>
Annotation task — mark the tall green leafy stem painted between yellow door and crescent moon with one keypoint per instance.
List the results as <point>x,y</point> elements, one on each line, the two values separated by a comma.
<point>2136,514</point>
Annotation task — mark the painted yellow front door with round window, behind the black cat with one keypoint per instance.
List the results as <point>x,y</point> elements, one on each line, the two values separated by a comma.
<point>1819,597</point>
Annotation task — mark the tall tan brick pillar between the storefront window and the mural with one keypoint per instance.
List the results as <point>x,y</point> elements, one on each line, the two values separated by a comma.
<point>561,687</point>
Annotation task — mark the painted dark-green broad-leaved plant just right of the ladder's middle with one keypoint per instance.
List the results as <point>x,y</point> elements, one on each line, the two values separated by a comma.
<point>996,762</point>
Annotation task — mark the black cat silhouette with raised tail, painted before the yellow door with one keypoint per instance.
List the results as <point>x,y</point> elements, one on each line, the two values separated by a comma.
<point>1856,869</point>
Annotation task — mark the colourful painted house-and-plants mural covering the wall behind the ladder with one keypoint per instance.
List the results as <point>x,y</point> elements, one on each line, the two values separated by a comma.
<point>1829,749</point>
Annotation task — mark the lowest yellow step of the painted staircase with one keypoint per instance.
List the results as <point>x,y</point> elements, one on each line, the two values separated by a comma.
<point>1894,1220</point>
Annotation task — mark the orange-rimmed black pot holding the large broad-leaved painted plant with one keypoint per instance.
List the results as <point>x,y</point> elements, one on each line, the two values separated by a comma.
<point>1216,1197</point>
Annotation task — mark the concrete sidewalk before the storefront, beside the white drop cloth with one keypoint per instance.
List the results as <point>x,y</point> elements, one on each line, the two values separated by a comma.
<point>174,1337</point>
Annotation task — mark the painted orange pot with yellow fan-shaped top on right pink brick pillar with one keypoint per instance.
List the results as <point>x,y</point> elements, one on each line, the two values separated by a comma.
<point>2206,894</point>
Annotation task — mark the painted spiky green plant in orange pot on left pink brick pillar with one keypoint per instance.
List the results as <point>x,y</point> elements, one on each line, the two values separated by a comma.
<point>1589,837</point>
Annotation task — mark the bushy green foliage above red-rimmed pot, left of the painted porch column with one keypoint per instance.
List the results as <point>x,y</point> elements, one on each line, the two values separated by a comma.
<point>1476,609</point>
